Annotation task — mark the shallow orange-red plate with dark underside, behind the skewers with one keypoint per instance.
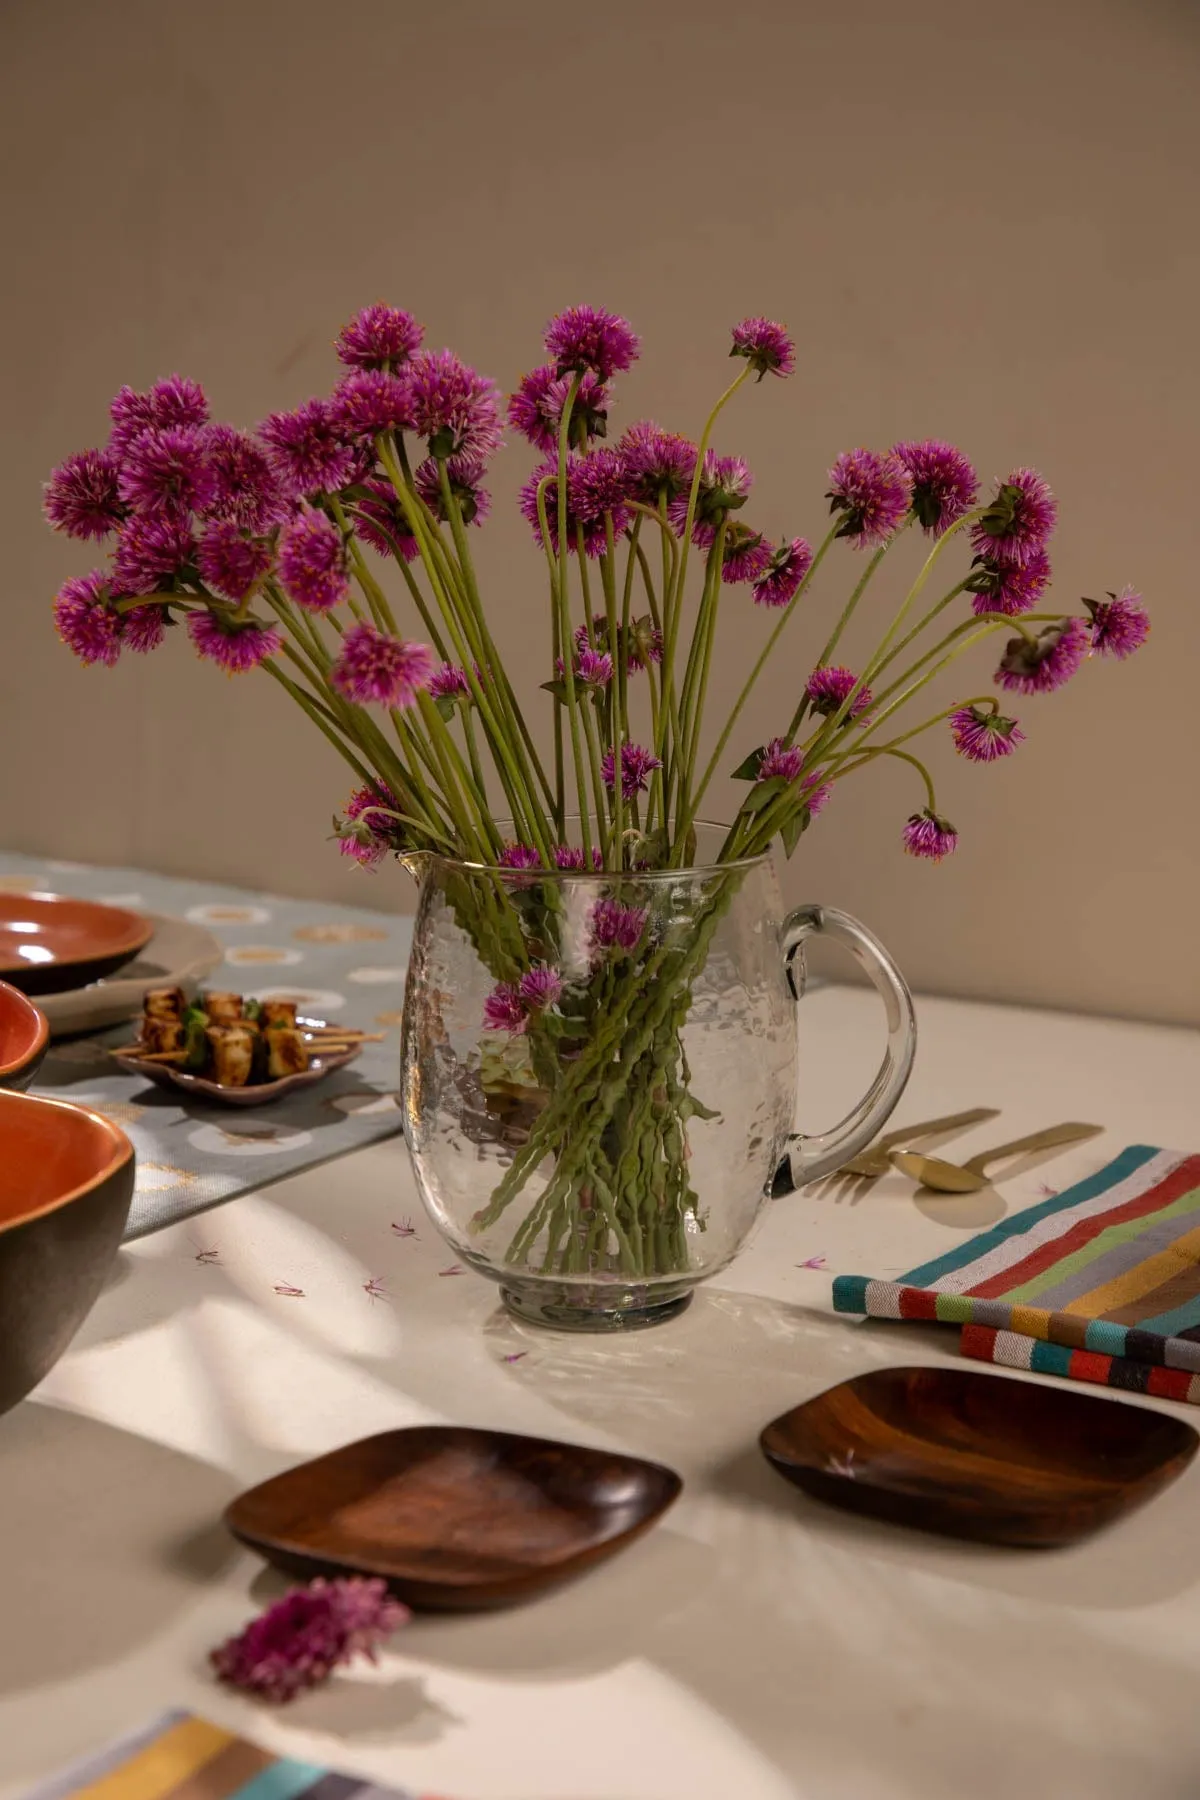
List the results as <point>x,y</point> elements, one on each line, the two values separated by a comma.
<point>51,942</point>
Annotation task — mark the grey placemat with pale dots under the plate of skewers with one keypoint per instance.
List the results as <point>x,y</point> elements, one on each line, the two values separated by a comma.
<point>345,964</point>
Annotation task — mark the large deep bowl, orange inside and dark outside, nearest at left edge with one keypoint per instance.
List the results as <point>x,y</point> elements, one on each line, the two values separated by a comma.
<point>66,1189</point>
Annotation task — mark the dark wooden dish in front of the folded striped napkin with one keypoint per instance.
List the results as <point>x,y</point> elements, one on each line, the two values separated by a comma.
<point>985,1457</point>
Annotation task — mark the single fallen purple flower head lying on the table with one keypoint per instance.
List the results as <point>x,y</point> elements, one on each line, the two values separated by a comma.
<point>300,1641</point>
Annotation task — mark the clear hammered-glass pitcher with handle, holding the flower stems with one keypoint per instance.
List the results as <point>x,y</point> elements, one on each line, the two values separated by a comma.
<point>600,1075</point>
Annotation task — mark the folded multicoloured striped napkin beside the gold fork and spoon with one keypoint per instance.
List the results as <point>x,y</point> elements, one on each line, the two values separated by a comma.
<point>1100,1282</point>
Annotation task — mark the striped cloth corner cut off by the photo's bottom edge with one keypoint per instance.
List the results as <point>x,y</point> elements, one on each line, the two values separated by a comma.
<point>183,1758</point>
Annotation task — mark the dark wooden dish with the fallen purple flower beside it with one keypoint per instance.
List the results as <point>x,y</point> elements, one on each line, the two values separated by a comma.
<point>452,1518</point>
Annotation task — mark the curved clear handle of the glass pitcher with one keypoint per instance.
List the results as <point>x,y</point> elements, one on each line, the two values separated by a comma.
<point>812,1158</point>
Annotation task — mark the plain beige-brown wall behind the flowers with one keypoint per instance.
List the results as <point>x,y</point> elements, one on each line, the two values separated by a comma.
<point>980,220</point>
